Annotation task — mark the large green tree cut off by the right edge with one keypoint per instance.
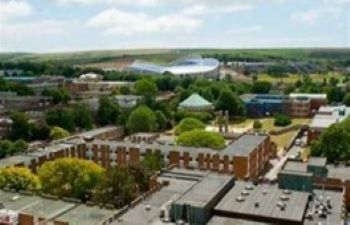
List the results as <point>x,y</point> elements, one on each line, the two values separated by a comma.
<point>334,143</point>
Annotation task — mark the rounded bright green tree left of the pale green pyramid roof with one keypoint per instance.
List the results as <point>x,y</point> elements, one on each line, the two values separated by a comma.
<point>142,119</point>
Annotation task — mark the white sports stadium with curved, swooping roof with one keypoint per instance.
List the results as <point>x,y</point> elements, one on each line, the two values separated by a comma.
<point>192,66</point>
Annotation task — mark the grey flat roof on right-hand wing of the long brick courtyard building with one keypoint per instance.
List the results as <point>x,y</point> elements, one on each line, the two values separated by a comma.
<point>244,145</point>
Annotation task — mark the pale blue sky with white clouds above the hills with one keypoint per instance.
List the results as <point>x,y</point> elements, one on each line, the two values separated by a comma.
<point>74,25</point>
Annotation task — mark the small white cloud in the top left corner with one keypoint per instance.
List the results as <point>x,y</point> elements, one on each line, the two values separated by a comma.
<point>14,9</point>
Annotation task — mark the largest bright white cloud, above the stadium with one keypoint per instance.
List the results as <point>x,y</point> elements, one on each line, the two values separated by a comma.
<point>115,21</point>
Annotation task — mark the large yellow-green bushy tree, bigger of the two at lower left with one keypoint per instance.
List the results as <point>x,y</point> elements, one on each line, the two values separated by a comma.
<point>70,177</point>
